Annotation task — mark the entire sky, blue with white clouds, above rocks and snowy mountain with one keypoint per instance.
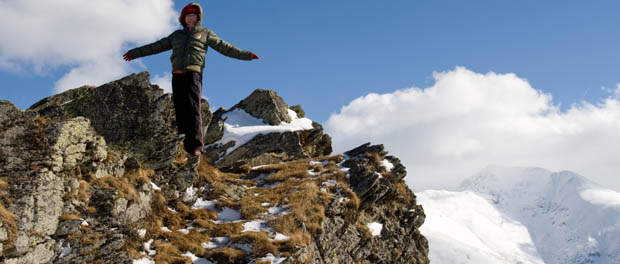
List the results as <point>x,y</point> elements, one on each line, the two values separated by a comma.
<point>448,86</point>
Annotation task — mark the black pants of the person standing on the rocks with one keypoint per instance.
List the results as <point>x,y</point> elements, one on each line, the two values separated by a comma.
<point>186,95</point>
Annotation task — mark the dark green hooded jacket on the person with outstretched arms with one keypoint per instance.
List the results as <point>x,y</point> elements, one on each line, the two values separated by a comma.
<point>189,46</point>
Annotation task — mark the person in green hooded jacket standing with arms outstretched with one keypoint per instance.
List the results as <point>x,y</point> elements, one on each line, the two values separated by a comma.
<point>189,47</point>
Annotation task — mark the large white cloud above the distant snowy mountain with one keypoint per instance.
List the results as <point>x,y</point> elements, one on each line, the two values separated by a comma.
<point>467,121</point>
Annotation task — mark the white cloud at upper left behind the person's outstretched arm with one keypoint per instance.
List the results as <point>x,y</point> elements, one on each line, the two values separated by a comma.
<point>88,37</point>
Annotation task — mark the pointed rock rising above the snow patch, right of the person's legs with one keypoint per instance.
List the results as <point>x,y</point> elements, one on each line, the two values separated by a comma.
<point>265,105</point>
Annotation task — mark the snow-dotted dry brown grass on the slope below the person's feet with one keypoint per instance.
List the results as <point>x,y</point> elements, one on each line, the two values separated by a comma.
<point>298,190</point>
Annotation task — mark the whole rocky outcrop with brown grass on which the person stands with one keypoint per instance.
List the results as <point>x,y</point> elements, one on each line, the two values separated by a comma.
<point>99,175</point>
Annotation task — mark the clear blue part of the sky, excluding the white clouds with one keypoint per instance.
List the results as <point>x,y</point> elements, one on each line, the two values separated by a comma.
<point>323,54</point>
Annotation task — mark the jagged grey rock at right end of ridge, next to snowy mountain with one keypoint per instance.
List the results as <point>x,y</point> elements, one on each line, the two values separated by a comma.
<point>382,201</point>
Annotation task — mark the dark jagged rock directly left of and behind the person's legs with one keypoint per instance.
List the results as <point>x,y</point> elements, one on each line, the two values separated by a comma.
<point>129,113</point>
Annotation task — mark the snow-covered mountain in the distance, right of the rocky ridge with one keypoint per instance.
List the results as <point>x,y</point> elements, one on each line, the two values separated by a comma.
<point>523,215</point>
